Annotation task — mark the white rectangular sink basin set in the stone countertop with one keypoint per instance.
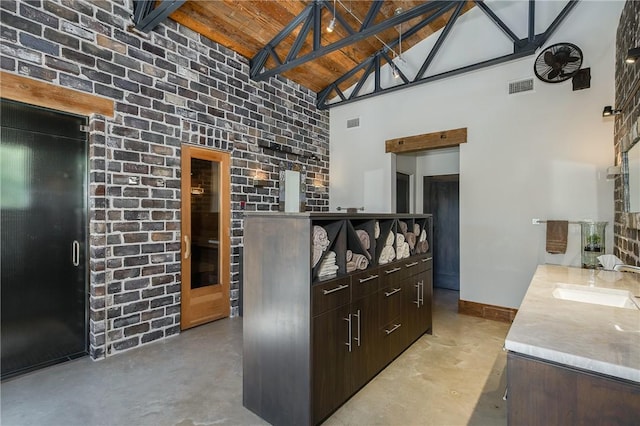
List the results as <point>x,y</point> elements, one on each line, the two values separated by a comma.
<point>595,295</point>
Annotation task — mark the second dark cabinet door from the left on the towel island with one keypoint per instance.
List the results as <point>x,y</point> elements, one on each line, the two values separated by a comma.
<point>366,359</point>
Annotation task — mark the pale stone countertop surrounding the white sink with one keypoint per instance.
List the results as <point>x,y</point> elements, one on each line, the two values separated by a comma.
<point>588,336</point>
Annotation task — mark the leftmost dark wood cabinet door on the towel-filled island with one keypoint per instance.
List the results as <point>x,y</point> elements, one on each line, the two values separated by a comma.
<point>332,347</point>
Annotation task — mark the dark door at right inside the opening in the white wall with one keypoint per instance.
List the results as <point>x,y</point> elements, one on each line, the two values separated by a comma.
<point>441,198</point>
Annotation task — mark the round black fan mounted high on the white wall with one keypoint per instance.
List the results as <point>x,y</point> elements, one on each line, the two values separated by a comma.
<point>558,62</point>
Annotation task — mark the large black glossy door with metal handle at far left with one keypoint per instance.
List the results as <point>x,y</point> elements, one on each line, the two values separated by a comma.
<point>43,236</point>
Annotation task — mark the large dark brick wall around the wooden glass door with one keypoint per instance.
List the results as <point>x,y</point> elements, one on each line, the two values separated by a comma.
<point>169,88</point>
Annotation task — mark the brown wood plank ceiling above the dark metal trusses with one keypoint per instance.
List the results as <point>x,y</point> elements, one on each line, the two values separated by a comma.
<point>248,26</point>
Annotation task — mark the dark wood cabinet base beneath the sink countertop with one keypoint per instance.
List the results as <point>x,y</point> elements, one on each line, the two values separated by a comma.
<point>542,393</point>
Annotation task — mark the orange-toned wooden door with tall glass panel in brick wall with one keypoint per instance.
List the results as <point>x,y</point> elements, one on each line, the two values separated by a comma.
<point>205,236</point>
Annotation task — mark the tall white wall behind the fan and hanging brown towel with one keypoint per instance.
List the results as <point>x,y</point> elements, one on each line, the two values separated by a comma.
<point>540,154</point>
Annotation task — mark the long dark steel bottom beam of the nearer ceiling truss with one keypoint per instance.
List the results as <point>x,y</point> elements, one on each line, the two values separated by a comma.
<point>357,36</point>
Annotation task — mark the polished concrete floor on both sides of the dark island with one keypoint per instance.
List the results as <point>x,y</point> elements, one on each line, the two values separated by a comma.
<point>454,377</point>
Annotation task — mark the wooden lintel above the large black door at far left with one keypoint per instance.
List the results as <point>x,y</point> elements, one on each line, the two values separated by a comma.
<point>47,95</point>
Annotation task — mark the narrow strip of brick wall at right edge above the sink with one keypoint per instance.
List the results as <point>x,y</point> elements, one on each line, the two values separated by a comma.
<point>627,98</point>
